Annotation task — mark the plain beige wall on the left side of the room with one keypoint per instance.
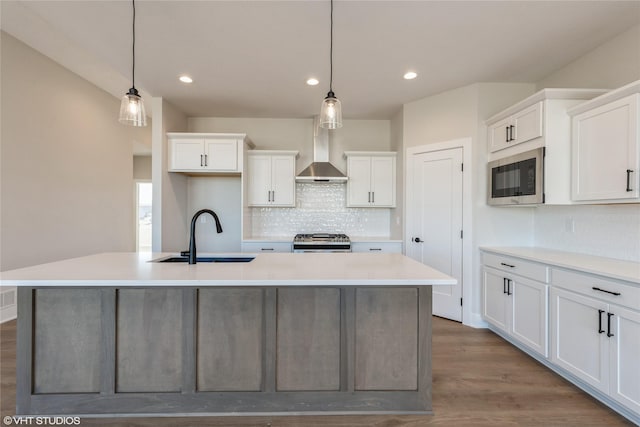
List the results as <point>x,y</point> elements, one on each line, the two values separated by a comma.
<point>66,163</point>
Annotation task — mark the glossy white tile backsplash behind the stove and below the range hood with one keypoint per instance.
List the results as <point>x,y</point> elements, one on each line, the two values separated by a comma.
<point>320,208</point>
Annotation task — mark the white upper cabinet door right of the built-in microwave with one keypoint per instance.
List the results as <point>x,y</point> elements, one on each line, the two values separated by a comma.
<point>604,146</point>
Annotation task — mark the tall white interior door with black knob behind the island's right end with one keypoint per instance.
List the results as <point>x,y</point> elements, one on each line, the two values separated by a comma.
<point>436,203</point>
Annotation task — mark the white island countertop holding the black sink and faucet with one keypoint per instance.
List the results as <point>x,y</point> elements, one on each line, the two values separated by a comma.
<point>273,269</point>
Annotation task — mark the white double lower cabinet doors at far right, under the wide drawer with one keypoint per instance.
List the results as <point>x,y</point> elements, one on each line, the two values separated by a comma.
<point>599,343</point>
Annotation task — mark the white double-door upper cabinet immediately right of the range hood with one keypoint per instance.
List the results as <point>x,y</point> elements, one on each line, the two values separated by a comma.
<point>372,179</point>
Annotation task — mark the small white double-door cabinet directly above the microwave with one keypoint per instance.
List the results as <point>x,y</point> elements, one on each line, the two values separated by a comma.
<point>522,126</point>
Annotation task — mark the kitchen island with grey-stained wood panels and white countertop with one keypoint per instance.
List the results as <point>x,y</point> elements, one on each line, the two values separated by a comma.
<point>116,334</point>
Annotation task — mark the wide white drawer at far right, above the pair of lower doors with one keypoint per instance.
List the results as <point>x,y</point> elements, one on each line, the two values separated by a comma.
<point>608,290</point>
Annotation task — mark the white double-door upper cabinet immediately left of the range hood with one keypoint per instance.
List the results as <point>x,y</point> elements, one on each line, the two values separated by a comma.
<point>271,178</point>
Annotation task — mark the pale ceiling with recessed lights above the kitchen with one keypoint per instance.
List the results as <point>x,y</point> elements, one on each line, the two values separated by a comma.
<point>252,58</point>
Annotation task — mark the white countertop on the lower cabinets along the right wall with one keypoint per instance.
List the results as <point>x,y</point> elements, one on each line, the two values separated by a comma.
<point>610,267</point>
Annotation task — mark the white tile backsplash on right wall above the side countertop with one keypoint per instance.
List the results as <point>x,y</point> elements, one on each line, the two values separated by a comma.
<point>604,230</point>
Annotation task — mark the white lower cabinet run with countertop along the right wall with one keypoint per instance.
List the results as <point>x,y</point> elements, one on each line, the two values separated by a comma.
<point>591,319</point>
